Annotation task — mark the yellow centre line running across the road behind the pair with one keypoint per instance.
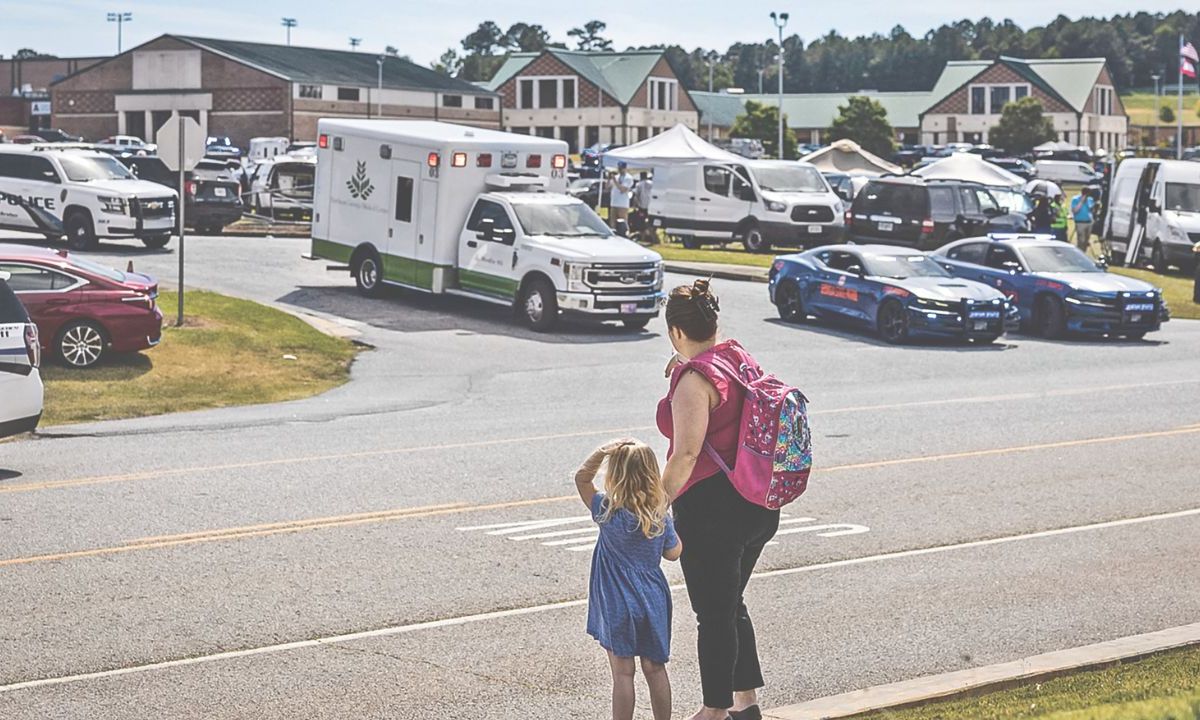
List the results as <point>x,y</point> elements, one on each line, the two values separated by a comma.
<point>297,526</point>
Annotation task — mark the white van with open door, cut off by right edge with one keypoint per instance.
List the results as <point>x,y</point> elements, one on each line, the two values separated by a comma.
<point>1163,196</point>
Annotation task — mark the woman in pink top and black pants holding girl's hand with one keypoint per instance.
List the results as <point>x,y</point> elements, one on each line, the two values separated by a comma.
<point>723,533</point>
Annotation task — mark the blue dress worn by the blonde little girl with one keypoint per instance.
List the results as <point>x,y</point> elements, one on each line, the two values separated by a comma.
<point>629,601</point>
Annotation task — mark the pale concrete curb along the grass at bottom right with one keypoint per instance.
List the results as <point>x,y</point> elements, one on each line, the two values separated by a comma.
<point>993,677</point>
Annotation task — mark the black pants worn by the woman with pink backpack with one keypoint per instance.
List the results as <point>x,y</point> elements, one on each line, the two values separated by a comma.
<point>723,537</point>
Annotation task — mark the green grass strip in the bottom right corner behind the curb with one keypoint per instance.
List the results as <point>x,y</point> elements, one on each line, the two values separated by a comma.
<point>1159,688</point>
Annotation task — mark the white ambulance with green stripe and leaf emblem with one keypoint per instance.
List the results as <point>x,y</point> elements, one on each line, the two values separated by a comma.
<point>451,209</point>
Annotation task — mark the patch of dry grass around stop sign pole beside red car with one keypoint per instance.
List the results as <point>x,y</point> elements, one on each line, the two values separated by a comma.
<point>229,353</point>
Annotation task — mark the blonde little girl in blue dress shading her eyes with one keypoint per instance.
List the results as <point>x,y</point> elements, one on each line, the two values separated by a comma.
<point>629,602</point>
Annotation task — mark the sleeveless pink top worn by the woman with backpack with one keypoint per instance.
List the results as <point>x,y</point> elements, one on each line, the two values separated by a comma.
<point>724,422</point>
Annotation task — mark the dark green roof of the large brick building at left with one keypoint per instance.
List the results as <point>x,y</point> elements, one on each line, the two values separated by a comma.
<point>334,68</point>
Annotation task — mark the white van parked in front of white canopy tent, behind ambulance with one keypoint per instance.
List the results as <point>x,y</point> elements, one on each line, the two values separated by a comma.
<point>759,202</point>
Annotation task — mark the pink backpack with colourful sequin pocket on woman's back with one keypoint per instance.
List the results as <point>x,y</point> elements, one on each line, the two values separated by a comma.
<point>775,455</point>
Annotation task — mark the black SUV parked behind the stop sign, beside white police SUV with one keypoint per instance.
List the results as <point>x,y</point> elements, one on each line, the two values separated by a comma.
<point>212,194</point>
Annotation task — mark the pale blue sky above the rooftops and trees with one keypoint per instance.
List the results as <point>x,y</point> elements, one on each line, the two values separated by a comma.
<point>424,29</point>
